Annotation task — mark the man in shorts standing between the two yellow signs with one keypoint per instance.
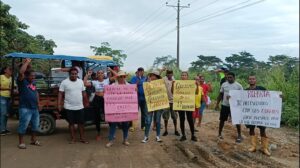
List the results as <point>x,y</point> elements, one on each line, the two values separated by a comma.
<point>166,115</point>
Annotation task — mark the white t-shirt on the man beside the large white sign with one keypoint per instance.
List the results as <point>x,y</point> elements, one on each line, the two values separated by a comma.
<point>226,86</point>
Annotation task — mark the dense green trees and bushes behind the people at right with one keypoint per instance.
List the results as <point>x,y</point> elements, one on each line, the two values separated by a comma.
<point>280,73</point>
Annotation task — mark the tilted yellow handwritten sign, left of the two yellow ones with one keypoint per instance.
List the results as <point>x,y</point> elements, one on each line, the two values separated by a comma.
<point>156,95</point>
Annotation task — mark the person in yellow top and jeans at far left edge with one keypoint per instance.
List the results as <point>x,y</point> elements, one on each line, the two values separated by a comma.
<point>5,87</point>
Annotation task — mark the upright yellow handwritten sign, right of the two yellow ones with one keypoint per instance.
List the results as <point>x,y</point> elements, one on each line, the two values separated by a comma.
<point>184,95</point>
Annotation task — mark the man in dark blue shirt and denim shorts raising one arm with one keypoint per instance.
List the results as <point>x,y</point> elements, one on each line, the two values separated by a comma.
<point>28,104</point>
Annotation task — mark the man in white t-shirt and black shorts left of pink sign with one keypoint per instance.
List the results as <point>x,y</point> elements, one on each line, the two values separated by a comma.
<point>75,95</point>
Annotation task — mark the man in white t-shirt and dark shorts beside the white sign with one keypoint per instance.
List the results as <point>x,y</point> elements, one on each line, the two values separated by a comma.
<point>230,84</point>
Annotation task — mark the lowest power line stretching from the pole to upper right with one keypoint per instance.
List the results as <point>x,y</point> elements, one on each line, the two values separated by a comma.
<point>208,17</point>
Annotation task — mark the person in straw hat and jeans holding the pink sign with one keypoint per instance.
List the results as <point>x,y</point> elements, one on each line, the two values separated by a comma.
<point>121,80</point>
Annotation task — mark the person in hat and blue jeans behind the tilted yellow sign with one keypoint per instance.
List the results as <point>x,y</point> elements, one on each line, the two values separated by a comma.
<point>155,75</point>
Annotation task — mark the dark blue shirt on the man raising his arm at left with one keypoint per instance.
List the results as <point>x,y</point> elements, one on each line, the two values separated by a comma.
<point>28,94</point>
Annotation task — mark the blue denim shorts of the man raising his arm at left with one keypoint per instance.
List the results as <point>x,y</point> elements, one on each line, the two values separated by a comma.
<point>26,116</point>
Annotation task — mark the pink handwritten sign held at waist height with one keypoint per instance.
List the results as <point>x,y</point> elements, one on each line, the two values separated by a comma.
<point>120,103</point>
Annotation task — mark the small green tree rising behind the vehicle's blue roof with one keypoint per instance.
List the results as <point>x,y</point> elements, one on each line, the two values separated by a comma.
<point>105,49</point>
